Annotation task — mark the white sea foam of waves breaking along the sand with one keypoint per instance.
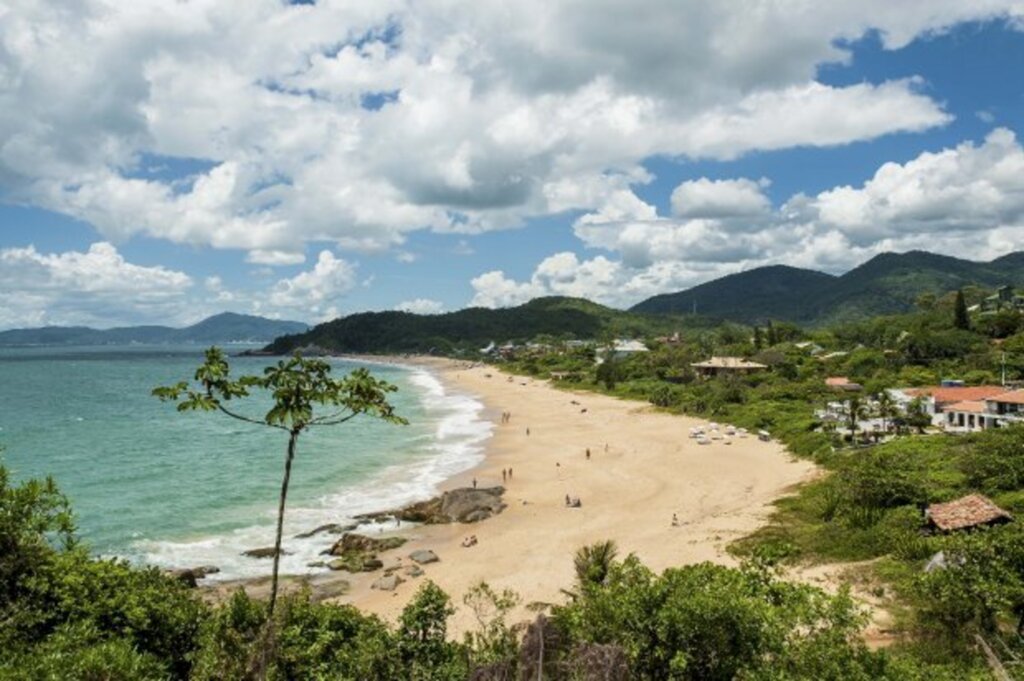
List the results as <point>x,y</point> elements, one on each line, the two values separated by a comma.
<point>456,446</point>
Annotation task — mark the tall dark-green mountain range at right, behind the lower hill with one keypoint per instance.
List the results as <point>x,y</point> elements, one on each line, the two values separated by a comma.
<point>887,284</point>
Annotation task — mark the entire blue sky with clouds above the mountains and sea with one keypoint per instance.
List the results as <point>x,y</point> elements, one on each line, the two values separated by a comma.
<point>165,160</point>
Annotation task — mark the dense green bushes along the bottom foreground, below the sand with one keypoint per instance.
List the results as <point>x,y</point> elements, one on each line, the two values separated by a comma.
<point>66,616</point>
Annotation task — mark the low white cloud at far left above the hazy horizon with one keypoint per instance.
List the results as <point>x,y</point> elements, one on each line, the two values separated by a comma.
<point>98,287</point>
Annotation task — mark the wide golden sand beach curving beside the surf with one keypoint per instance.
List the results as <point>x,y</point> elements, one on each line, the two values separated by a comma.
<point>644,469</point>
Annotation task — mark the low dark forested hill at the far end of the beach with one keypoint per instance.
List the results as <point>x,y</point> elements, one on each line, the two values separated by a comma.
<point>476,328</point>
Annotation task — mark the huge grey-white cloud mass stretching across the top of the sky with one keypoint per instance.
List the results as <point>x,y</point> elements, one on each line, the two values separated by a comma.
<point>484,114</point>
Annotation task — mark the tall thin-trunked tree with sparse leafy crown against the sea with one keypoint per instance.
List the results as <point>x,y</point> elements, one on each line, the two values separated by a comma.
<point>305,396</point>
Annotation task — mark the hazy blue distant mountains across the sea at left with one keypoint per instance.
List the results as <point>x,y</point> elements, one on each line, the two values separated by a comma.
<point>225,328</point>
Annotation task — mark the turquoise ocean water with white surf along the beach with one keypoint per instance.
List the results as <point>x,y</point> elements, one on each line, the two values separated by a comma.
<point>158,487</point>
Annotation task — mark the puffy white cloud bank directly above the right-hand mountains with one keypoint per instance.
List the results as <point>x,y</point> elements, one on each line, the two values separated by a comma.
<point>967,201</point>
